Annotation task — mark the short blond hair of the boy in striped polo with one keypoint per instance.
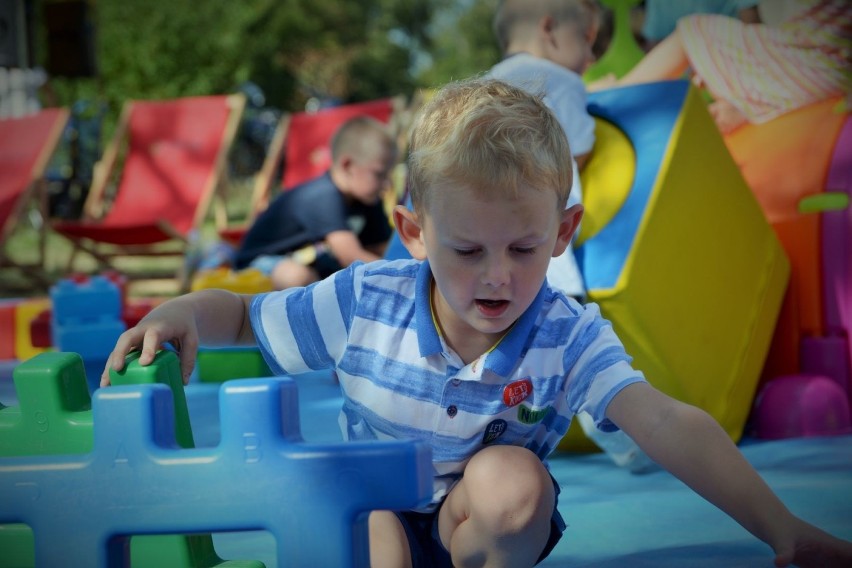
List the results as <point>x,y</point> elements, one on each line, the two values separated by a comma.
<point>489,136</point>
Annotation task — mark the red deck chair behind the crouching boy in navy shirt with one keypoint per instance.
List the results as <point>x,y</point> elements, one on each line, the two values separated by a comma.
<point>301,142</point>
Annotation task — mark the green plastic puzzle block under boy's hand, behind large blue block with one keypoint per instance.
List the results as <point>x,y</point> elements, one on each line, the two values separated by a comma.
<point>54,416</point>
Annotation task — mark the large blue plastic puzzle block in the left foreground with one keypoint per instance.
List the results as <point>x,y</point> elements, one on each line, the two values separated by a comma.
<point>313,498</point>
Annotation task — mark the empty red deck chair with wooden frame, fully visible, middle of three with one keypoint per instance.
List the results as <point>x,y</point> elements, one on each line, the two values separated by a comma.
<point>175,156</point>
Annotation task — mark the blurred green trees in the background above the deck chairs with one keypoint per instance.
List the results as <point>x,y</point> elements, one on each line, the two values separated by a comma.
<point>346,50</point>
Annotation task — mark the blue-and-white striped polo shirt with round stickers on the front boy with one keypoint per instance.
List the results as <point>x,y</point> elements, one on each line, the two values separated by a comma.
<point>372,324</point>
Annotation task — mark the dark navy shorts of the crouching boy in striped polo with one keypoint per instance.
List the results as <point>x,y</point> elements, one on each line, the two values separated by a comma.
<point>426,548</point>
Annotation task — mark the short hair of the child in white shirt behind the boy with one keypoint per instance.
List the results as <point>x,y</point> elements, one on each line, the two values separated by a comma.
<point>514,17</point>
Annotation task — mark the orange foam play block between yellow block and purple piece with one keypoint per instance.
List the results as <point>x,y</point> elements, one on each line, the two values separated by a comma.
<point>785,161</point>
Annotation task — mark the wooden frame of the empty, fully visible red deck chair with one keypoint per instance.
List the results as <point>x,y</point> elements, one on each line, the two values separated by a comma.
<point>172,242</point>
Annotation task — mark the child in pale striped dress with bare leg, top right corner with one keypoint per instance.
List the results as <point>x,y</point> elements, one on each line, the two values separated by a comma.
<point>756,72</point>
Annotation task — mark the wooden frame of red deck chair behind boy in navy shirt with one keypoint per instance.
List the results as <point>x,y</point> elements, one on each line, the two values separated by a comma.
<point>274,164</point>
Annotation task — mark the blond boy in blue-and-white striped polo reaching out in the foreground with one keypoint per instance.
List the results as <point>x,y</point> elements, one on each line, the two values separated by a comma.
<point>466,348</point>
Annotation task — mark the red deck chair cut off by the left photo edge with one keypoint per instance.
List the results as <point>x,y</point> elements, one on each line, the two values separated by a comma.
<point>26,145</point>
